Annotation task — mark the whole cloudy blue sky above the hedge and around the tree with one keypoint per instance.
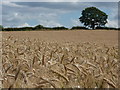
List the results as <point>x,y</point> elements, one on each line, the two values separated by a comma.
<point>51,14</point>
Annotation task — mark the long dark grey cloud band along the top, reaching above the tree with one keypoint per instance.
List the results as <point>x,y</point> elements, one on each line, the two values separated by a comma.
<point>68,5</point>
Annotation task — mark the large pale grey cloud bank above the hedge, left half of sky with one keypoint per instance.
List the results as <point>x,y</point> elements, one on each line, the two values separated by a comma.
<point>33,16</point>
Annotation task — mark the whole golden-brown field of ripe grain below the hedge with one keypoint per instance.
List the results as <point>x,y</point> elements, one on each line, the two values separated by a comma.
<point>60,59</point>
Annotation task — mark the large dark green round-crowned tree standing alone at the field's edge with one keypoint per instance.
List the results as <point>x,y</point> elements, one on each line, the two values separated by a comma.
<point>93,17</point>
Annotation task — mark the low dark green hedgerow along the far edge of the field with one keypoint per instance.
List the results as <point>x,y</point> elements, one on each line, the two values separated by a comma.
<point>40,27</point>
